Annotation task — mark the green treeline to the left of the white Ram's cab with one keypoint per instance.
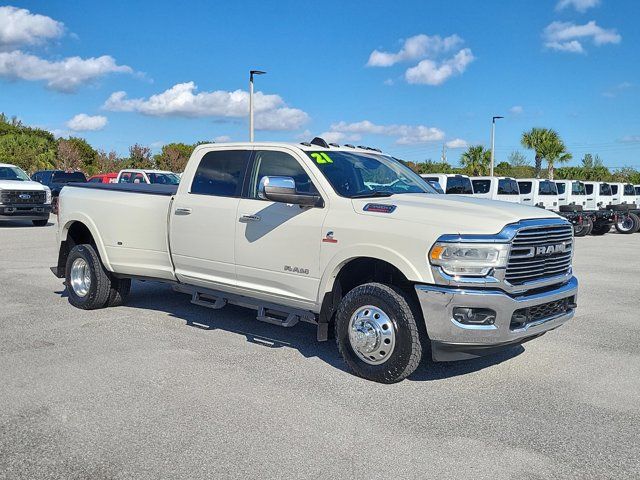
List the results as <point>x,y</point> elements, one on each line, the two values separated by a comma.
<point>35,149</point>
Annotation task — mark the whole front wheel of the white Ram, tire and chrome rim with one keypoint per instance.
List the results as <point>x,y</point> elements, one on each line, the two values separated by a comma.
<point>376,333</point>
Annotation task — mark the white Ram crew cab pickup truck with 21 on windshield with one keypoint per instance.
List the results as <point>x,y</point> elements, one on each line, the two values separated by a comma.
<point>346,238</point>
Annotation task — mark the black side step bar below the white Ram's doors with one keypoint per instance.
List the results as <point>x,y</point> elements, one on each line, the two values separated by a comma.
<point>267,312</point>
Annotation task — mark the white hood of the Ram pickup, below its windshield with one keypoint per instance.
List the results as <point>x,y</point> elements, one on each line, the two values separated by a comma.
<point>456,214</point>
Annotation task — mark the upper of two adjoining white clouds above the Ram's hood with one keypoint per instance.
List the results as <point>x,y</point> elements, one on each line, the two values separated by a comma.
<point>415,48</point>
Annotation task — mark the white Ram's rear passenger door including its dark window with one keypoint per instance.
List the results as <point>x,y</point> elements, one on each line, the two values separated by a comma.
<point>204,220</point>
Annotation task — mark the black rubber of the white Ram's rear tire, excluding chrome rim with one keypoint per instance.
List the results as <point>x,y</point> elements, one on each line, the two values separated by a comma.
<point>100,284</point>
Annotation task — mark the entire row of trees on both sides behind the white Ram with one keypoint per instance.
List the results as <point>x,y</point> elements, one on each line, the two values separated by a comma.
<point>37,149</point>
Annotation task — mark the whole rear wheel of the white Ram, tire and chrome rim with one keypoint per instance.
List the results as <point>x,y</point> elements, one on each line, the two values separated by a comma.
<point>88,283</point>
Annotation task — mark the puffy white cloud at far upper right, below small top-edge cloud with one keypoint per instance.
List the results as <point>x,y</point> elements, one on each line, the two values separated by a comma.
<point>568,37</point>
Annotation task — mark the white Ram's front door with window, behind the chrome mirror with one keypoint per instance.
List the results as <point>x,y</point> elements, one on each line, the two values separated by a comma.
<point>278,244</point>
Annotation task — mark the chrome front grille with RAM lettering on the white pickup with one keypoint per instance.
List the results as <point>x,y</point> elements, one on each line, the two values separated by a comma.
<point>527,265</point>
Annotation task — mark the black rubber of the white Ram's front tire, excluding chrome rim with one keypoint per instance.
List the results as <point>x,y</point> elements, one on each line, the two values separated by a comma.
<point>403,322</point>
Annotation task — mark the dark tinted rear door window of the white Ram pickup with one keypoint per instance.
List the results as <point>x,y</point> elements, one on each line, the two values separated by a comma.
<point>221,173</point>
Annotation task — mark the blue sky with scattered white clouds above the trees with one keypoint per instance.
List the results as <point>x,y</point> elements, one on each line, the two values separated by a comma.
<point>404,76</point>
